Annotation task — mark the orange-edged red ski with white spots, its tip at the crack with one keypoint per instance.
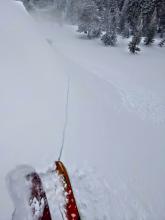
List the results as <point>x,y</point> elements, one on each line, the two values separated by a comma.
<point>71,209</point>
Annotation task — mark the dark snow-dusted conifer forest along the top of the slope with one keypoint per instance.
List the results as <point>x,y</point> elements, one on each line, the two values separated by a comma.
<point>142,20</point>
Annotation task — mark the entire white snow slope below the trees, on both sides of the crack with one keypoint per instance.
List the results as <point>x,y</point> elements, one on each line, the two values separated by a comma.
<point>114,147</point>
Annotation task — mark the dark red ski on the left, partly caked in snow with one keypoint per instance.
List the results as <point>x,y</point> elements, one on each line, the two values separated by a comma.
<point>38,200</point>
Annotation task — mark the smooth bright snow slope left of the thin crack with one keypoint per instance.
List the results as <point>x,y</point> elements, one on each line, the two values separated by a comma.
<point>32,97</point>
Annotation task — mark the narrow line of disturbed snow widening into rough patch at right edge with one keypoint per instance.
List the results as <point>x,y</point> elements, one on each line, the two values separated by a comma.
<point>146,104</point>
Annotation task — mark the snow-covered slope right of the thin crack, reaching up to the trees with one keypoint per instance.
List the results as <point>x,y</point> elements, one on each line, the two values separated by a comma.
<point>117,120</point>
